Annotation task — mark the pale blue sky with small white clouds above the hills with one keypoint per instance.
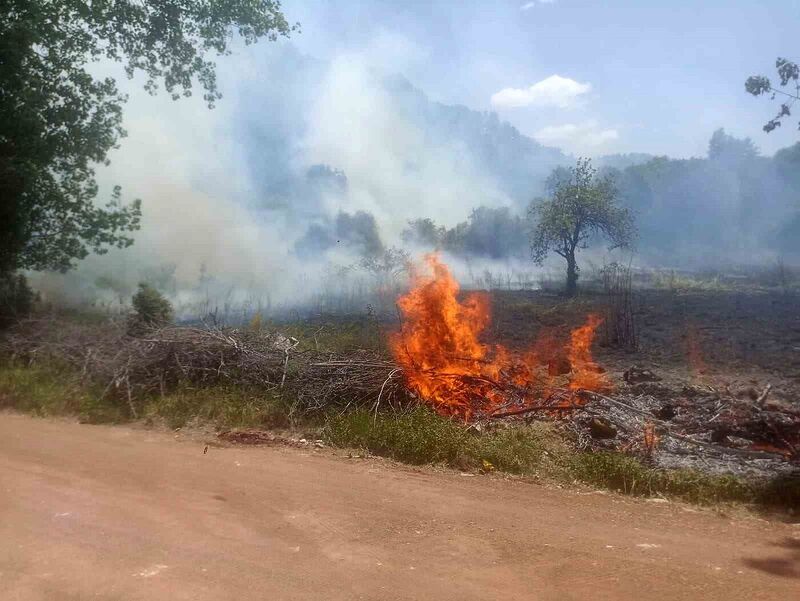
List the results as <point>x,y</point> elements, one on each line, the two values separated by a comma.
<point>631,76</point>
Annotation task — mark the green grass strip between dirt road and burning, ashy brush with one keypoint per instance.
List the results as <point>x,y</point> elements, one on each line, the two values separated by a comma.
<point>421,436</point>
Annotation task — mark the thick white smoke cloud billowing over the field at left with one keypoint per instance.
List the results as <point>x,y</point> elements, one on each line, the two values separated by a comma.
<point>200,198</point>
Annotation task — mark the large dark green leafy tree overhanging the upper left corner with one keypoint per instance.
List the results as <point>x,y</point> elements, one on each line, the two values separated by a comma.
<point>58,121</point>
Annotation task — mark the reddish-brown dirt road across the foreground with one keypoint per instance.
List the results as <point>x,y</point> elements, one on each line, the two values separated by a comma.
<point>90,512</point>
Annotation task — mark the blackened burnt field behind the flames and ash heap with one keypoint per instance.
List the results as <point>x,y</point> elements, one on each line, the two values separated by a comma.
<point>737,341</point>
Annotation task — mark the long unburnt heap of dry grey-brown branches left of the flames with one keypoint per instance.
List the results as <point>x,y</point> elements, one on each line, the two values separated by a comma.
<point>132,369</point>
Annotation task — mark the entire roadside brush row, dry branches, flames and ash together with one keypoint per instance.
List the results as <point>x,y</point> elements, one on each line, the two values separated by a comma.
<point>436,356</point>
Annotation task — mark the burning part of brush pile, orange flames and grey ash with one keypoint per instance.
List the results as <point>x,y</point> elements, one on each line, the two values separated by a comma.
<point>445,364</point>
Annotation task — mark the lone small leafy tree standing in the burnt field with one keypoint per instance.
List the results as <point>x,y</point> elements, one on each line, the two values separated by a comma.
<point>580,207</point>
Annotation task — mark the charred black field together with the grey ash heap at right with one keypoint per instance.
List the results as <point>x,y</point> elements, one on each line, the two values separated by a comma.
<point>721,385</point>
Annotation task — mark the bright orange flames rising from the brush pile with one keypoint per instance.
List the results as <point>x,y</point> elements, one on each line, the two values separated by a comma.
<point>446,364</point>
